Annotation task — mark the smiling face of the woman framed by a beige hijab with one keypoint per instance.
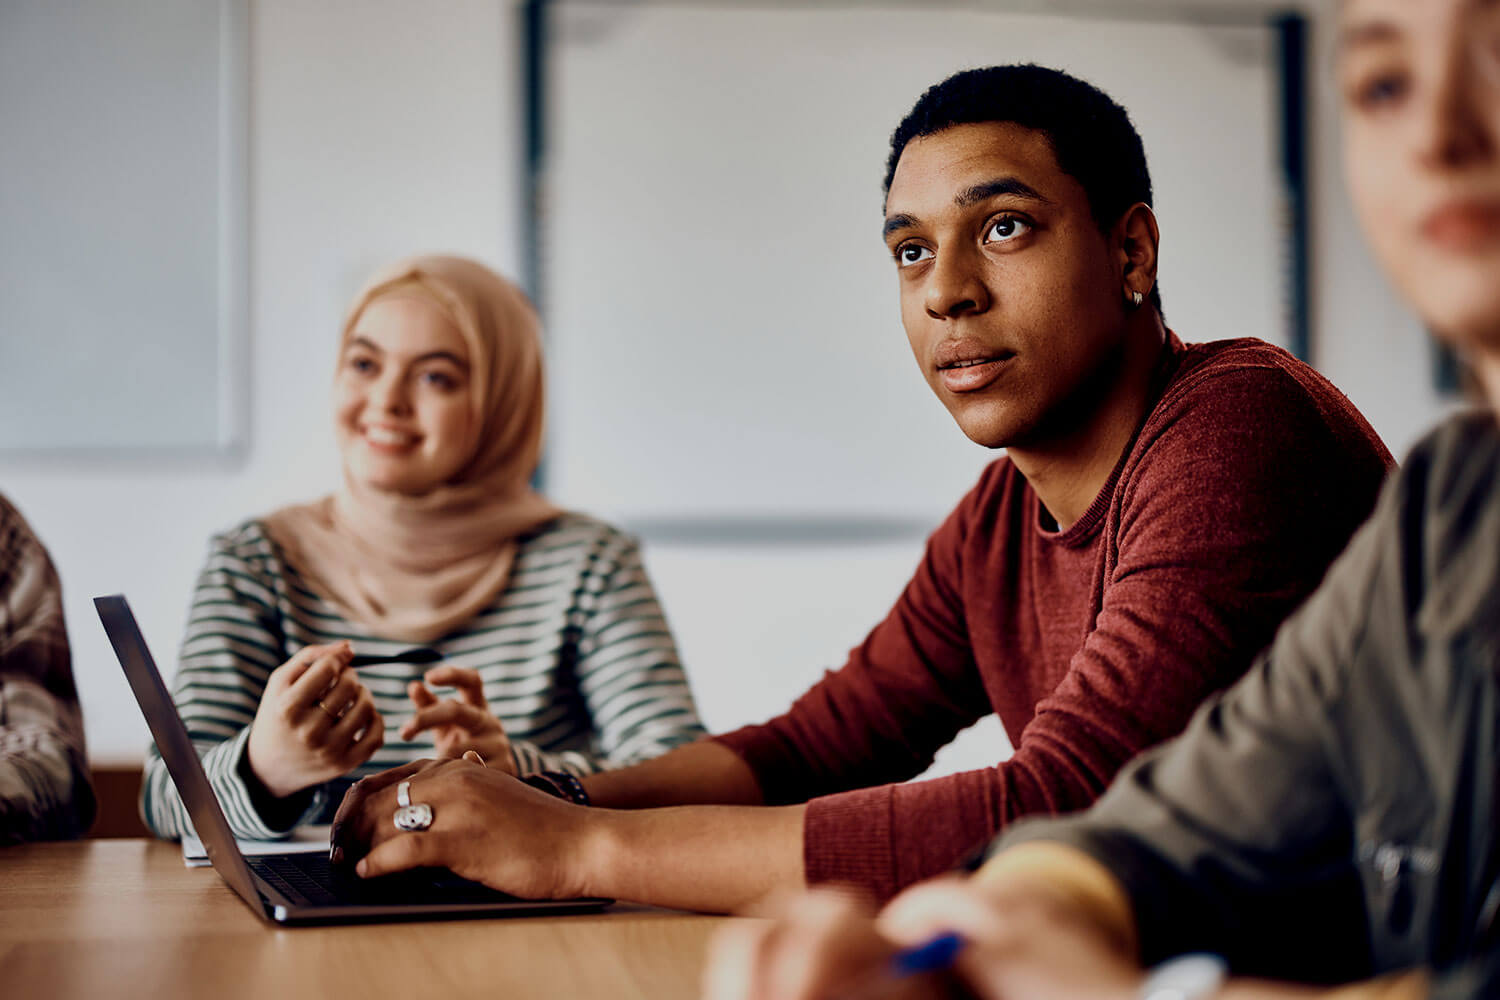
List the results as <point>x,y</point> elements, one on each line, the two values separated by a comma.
<point>403,406</point>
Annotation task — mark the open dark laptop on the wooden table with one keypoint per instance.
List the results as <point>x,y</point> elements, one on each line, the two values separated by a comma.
<point>295,888</point>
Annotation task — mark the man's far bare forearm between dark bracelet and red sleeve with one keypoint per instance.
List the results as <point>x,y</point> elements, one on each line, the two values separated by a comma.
<point>704,773</point>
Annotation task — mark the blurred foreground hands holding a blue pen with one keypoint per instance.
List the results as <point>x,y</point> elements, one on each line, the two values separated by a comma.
<point>829,944</point>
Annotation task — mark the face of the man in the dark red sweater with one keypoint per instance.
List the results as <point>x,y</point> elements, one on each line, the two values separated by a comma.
<point>1012,296</point>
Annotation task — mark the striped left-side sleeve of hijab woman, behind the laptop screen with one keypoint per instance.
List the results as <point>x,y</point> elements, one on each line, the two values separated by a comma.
<point>232,647</point>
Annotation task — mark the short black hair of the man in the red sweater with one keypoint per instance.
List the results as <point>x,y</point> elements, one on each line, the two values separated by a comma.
<point>1091,136</point>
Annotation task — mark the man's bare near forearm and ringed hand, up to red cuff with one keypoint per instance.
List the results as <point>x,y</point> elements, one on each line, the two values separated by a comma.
<point>497,830</point>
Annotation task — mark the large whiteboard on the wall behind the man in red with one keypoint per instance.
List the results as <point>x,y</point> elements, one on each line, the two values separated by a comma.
<point>722,316</point>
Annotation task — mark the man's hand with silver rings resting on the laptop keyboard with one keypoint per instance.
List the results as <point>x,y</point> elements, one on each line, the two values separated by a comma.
<point>487,827</point>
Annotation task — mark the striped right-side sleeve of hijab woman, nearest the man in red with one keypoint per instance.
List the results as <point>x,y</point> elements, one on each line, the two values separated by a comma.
<point>628,671</point>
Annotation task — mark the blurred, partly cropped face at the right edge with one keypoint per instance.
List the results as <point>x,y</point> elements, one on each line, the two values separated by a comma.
<point>1421,94</point>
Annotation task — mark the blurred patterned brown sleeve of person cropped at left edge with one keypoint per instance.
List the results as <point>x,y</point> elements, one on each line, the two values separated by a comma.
<point>44,774</point>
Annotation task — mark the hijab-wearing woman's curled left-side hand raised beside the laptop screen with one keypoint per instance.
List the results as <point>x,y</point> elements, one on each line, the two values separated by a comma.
<point>316,722</point>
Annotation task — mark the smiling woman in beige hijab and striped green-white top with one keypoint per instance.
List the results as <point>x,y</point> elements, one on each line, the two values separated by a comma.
<point>553,653</point>
